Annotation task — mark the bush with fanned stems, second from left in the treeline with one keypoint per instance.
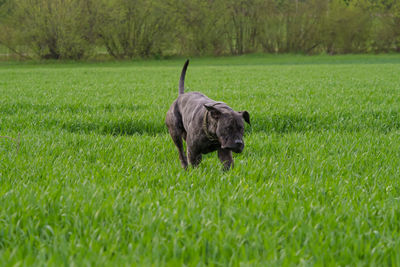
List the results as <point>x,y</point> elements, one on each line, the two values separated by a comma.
<point>132,28</point>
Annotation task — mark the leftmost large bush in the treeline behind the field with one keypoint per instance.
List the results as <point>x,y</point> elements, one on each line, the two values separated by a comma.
<point>53,29</point>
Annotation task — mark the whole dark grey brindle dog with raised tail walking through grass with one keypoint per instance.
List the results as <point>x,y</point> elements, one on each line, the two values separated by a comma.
<point>205,125</point>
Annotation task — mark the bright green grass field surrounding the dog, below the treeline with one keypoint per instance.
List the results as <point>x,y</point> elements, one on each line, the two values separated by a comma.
<point>96,179</point>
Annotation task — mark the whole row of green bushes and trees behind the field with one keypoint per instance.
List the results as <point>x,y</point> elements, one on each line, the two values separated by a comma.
<point>76,29</point>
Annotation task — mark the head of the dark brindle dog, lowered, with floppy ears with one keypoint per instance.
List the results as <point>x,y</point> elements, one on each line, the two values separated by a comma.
<point>228,126</point>
